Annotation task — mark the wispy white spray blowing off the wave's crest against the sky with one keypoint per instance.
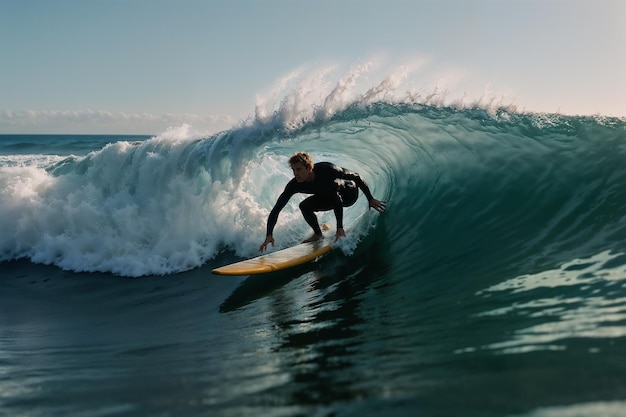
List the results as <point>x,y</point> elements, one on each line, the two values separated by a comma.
<point>319,92</point>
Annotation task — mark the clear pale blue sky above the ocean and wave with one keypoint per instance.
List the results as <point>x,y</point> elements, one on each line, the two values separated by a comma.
<point>141,66</point>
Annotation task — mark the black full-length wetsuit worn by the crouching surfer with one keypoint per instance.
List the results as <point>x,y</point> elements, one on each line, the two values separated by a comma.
<point>333,189</point>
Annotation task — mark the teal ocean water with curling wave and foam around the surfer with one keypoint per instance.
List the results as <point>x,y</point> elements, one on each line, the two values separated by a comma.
<point>494,285</point>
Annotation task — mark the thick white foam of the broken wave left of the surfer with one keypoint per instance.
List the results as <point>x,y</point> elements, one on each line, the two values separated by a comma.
<point>137,208</point>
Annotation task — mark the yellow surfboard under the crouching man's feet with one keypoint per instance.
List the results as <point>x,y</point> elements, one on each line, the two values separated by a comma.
<point>282,259</point>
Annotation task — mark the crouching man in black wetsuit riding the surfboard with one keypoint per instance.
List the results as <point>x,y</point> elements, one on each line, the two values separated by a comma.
<point>333,188</point>
